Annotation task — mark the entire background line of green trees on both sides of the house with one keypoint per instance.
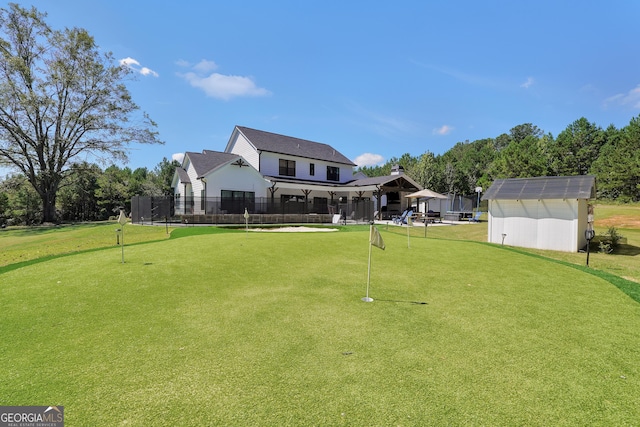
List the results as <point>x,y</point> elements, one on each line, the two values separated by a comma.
<point>88,193</point>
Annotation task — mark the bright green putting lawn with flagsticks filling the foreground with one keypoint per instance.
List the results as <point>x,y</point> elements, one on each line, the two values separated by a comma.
<point>244,329</point>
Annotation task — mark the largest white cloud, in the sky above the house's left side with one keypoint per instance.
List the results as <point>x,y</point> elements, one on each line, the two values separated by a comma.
<point>218,85</point>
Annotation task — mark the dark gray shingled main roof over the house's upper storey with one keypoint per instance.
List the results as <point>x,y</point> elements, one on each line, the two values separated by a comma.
<point>281,144</point>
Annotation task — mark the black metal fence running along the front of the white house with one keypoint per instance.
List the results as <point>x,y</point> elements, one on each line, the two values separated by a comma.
<point>261,210</point>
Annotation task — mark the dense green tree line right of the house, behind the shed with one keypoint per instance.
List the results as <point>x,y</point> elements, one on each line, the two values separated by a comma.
<point>612,155</point>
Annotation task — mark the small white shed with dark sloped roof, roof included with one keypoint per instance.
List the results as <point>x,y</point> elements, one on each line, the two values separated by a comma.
<point>543,213</point>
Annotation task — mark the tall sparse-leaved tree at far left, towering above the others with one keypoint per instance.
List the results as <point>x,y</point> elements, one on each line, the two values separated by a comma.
<point>60,98</point>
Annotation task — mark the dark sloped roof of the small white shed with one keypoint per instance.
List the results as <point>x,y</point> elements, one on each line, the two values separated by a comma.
<point>546,187</point>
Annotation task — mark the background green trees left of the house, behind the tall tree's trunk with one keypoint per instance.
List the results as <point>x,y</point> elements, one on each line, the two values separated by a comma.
<point>87,193</point>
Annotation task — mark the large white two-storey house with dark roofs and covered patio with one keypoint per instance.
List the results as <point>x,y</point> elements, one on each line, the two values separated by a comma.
<point>279,178</point>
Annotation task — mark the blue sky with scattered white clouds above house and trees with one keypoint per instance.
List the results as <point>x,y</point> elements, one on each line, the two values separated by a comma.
<point>373,79</point>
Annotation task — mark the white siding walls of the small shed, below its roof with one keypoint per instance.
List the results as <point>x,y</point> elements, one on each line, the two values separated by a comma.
<point>540,224</point>
